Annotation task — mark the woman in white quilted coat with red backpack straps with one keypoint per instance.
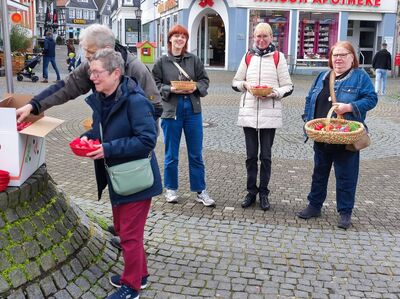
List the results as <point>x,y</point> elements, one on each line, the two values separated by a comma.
<point>260,116</point>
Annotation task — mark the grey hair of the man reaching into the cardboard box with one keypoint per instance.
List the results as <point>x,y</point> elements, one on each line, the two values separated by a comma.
<point>97,35</point>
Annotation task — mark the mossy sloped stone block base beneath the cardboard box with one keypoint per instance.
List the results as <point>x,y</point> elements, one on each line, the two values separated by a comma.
<point>48,247</point>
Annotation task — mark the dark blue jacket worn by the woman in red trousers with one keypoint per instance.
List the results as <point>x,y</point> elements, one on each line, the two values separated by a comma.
<point>129,133</point>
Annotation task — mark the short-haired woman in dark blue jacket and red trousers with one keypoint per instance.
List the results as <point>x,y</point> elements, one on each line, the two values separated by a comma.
<point>129,132</point>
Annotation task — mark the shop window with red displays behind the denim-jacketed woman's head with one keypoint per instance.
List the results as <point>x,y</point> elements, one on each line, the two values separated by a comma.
<point>317,34</point>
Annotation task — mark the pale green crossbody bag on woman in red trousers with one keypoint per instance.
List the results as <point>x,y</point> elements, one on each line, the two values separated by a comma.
<point>130,177</point>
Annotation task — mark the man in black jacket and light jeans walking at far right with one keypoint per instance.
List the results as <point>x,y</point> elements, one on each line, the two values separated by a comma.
<point>382,62</point>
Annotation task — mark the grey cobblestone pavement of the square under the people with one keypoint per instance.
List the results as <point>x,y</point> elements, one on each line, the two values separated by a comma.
<point>228,252</point>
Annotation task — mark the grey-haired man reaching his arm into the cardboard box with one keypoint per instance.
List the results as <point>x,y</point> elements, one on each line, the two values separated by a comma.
<point>78,82</point>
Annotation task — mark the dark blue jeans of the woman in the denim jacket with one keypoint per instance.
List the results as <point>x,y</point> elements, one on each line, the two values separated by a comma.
<point>346,165</point>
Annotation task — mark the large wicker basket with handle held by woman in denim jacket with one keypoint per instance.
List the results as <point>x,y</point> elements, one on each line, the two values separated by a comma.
<point>333,137</point>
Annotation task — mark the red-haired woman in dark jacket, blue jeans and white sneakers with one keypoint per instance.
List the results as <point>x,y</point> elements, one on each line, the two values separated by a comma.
<point>182,111</point>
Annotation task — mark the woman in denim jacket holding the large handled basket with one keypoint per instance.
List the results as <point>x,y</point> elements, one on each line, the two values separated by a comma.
<point>355,96</point>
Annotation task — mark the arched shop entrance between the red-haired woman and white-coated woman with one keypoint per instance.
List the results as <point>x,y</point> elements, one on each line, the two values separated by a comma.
<point>211,40</point>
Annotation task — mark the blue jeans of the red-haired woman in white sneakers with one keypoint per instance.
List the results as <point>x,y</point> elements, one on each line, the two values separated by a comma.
<point>192,125</point>
